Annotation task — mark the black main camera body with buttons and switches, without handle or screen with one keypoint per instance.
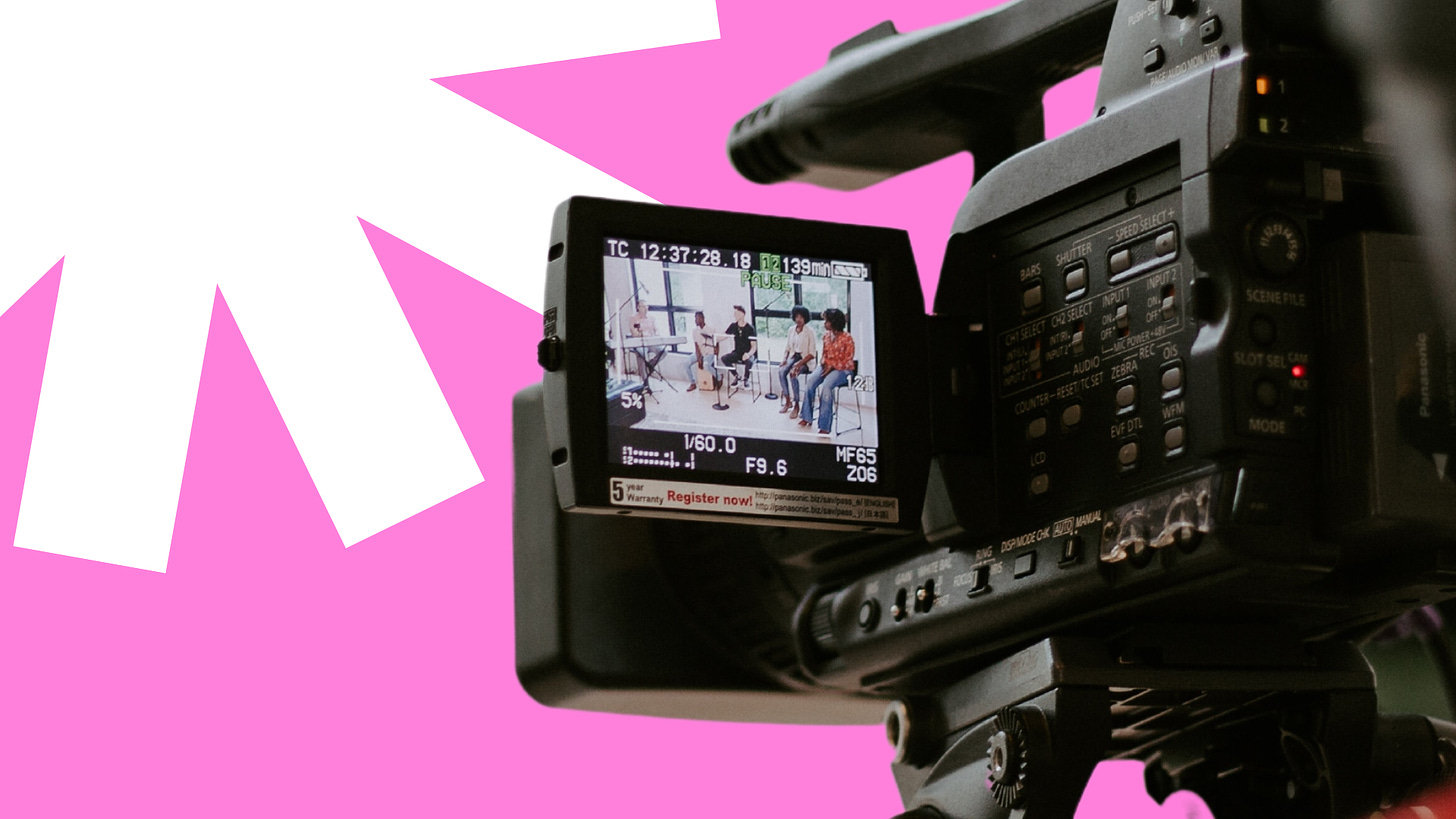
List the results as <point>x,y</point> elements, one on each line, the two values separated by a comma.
<point>1164,337</point>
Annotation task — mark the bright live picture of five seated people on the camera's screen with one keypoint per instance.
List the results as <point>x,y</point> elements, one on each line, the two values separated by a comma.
<point>748,345</point>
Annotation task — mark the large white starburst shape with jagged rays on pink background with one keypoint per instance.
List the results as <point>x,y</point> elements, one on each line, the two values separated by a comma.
<point>168,149</point>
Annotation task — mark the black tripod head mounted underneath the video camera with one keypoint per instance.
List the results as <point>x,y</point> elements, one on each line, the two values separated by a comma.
<point>1251,721</point>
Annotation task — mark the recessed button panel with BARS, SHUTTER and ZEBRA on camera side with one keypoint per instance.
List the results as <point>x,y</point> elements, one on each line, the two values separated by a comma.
<point>1094,369</point>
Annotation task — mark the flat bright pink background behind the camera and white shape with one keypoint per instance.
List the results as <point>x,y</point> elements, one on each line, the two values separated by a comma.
<point>273,673</point>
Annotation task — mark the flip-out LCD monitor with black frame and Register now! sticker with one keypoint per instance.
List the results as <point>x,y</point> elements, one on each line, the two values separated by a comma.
<point>733,367</point>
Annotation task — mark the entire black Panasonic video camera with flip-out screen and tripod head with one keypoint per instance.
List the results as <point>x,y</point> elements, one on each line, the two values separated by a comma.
<point>1176,431</point>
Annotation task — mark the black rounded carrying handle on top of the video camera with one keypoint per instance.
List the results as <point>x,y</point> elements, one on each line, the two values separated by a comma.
<point>889,103</point>
